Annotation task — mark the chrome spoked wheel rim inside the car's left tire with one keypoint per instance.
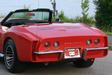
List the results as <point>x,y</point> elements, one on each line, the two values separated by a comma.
<point>9,56</point>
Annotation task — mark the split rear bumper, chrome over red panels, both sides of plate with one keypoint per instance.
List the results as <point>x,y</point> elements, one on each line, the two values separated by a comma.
<point>58,55</point>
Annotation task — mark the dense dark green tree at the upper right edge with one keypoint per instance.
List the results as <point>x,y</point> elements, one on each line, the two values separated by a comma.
<point>104,14</point>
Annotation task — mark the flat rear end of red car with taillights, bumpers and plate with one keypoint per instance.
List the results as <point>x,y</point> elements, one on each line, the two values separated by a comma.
<point>76,47</point>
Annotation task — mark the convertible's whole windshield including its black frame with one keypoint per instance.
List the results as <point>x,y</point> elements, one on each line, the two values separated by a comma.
<point>26,16</point>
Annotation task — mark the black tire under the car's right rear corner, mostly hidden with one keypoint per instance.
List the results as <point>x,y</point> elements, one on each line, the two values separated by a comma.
<point>81,63</point>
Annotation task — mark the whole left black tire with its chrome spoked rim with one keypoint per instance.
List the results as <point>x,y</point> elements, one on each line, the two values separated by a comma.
<point>11,61</point>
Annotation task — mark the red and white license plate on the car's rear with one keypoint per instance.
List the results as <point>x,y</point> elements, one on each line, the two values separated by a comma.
<point>72,53</point>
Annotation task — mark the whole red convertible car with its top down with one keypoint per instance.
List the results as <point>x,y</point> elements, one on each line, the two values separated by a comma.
<point>31,36</point>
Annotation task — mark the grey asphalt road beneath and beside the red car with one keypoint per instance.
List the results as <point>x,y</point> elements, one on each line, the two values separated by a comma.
<point>102,66</point>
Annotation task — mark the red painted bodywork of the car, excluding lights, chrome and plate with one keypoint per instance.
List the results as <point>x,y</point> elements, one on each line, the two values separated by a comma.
<point>30,38</point>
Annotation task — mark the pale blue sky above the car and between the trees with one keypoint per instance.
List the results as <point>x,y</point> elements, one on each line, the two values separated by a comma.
<point>70,7</point>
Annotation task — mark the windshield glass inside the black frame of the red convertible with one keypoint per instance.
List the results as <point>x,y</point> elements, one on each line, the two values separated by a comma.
<point>37,16</point>
